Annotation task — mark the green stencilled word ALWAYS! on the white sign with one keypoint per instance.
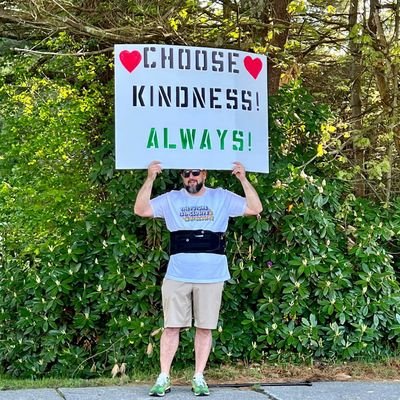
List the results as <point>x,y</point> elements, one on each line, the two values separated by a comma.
<point>204,139</point>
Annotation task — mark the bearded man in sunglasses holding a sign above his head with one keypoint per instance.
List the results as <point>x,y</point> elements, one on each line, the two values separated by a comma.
<point>197,217</point>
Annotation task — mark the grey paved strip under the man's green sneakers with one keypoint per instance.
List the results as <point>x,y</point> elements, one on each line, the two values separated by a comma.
<point>317,391</point>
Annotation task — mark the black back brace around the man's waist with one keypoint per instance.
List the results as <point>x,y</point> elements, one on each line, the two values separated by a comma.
<point>198,241</point>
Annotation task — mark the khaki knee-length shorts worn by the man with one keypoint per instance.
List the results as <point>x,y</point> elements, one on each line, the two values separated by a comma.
<point>180,298</point>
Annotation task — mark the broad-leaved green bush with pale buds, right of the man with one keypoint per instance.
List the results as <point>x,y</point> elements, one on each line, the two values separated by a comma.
<point>319,284</point>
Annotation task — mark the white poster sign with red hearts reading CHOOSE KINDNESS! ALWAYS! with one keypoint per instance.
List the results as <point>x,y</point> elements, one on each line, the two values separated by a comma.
<point>190,107</point>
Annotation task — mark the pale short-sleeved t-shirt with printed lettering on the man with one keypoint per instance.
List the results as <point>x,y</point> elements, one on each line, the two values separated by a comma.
<point>211,211</point>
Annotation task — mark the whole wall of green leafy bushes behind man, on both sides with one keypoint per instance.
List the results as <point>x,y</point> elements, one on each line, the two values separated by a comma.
<point>80,278</point>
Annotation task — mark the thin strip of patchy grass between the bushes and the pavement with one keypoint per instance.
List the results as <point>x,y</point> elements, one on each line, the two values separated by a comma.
<point>388,369</point>
